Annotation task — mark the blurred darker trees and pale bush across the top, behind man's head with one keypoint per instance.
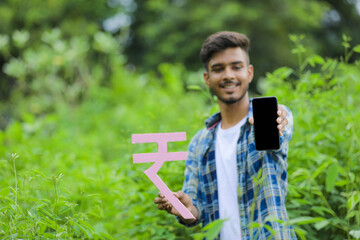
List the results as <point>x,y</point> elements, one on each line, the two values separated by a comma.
<point>68,40</point>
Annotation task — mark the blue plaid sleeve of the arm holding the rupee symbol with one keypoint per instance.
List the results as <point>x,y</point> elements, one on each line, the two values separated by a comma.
<point>192,180</point>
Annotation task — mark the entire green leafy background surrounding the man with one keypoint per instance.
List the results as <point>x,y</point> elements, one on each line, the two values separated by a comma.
<point>77,78</point>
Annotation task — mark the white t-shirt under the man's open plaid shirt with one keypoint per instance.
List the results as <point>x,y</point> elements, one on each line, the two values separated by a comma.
<point>227,177</point>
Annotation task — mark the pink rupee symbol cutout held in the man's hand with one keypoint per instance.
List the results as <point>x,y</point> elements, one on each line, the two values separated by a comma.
<point>159,158</point>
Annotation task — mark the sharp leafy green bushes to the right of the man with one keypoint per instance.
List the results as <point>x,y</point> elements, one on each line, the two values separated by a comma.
<point>324,151</point>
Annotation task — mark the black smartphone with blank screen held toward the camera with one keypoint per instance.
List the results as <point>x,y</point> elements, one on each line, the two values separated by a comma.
<point>267,135</point>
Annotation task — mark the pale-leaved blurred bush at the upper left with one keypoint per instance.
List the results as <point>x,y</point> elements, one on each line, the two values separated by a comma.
<point>59,71</point>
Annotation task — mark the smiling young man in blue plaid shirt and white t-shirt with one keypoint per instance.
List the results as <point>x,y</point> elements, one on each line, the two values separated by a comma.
<point>223,166</point>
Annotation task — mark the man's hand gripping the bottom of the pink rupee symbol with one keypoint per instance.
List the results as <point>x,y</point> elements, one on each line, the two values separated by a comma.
<point>164,204</point>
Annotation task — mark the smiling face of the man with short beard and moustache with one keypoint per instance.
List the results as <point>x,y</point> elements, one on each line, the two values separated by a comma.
<point>229,75</point>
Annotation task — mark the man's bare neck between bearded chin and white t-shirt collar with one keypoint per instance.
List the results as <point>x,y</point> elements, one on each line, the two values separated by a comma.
<point>231,114</point>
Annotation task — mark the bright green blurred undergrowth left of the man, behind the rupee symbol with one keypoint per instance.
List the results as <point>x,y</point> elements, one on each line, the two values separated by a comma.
<point>87,144</point>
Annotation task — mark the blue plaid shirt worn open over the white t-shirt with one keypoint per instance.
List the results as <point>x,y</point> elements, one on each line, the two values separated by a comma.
<point>260,201</point>
